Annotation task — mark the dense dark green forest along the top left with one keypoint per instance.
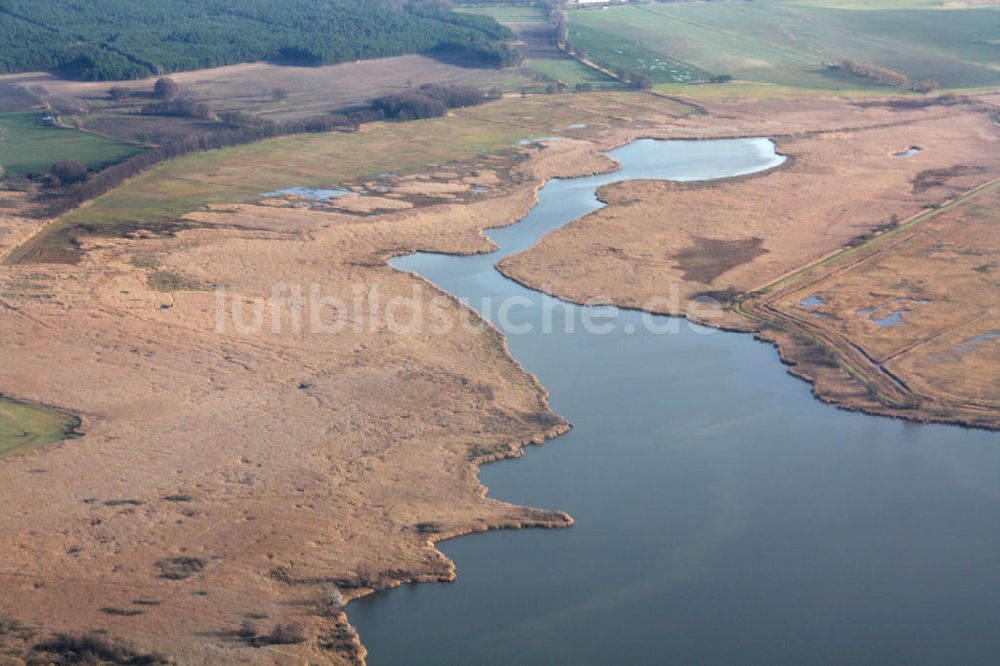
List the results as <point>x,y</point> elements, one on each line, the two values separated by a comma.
<point>124,39</point>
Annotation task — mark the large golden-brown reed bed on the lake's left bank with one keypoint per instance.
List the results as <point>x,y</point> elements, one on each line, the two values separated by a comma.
<point>227,475</point>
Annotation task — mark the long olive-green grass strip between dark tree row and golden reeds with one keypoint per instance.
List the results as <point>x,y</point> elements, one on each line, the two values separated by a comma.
<point>242,173</point>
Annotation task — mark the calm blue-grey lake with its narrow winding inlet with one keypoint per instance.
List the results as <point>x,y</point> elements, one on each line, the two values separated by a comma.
<point>723,515</point>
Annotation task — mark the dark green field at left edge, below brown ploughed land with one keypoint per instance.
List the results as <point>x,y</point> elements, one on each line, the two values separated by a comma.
<point>27,147</point>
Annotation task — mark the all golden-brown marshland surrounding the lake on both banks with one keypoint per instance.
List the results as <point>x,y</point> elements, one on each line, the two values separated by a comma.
<point>228,475</point>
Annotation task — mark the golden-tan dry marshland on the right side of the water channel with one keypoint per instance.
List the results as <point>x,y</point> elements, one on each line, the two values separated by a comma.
<point>841,185</point>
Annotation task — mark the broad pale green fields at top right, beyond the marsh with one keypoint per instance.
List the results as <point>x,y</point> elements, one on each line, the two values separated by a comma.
<point>787,42</point>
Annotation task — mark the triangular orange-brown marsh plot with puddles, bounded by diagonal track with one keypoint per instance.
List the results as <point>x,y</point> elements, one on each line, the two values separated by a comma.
<point>920,311</point>
